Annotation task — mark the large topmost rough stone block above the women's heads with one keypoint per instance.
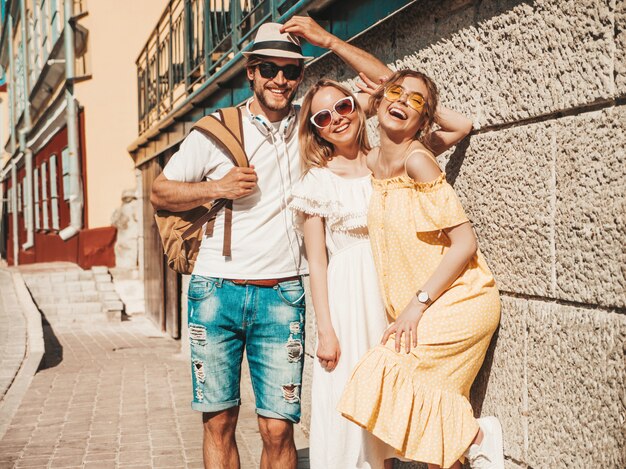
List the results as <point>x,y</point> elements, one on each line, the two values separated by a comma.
<point>506,60</point>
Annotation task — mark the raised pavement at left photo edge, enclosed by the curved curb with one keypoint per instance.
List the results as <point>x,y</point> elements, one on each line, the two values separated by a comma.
<point>12,332</point>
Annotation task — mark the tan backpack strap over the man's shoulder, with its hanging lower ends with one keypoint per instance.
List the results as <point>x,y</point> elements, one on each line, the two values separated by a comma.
<point>227,133</point>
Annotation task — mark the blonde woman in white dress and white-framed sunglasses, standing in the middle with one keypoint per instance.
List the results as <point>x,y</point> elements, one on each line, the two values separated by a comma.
<point>331,203</point>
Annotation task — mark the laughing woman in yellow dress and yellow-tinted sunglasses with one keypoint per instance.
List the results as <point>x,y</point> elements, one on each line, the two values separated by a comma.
<point>412,391</point>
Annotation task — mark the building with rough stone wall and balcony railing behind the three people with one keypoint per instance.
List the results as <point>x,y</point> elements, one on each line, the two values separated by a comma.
<point>541,177</point>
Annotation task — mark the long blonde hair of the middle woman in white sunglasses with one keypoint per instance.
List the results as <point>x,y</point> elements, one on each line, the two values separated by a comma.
<point>314,150</point>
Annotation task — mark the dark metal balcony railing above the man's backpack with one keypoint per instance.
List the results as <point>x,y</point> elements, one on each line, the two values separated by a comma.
<point>193,40</point>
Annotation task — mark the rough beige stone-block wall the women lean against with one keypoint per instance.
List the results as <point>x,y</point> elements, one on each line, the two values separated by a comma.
<point>543,181</point>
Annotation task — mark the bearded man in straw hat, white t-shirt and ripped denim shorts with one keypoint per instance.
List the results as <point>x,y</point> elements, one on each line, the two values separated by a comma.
<point>253,299</point>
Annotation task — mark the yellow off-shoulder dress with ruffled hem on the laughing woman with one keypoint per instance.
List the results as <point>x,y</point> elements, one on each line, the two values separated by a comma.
<point>419,402</point>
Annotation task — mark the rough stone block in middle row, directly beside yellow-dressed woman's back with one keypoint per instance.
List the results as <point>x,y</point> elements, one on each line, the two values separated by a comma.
<point>505,182</point>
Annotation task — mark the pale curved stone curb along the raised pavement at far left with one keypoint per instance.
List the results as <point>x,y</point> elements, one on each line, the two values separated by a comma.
<point>34,352</point>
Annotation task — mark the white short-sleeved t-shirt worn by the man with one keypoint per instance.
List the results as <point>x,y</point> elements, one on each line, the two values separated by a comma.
<point>264,241</point>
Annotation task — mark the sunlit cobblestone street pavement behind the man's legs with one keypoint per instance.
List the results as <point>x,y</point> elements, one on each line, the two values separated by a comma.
<point>116,395</point>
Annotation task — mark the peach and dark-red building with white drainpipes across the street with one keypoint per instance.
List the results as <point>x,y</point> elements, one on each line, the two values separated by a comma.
<point>70,104</point>
